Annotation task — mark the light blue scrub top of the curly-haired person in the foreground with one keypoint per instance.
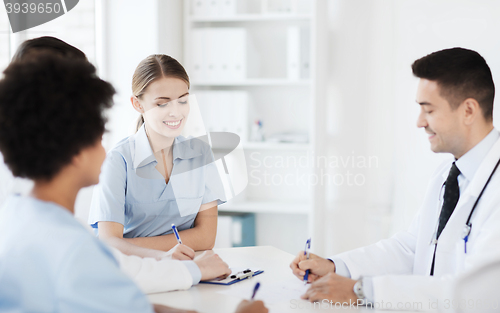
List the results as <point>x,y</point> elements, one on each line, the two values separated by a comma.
<point>50,263</point>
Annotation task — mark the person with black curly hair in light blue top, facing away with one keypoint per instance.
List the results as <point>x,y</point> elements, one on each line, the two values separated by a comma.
<point>51,125</point>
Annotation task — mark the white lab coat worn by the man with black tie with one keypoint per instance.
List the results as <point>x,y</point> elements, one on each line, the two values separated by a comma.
<point>400,266</point>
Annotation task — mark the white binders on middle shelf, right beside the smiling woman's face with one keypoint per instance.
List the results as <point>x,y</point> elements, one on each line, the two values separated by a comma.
<point>224,111</point>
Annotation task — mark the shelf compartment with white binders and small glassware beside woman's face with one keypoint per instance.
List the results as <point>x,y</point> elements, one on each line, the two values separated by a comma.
<point>283,115</point>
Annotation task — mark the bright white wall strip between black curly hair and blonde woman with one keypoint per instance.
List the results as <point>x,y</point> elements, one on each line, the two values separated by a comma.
<point>131,34</point>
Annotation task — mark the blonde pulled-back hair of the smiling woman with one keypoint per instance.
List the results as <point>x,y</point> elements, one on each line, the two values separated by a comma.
<point>152,68</point>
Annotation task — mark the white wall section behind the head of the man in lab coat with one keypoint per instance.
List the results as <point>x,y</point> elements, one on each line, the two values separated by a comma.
<point>421,27</point>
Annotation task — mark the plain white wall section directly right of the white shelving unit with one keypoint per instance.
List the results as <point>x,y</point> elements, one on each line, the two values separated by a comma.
<point>359,106</point>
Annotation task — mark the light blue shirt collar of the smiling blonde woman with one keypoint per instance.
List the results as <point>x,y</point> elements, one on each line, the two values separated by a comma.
<point>143,154</point>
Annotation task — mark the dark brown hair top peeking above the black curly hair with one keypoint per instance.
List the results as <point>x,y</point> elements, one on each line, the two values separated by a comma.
<point>30,48</point>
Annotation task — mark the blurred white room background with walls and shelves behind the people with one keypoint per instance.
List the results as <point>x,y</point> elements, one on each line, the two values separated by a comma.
<point>320,92</point>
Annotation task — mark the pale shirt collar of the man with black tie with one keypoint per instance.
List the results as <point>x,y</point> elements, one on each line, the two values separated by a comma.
<point>470,161</point>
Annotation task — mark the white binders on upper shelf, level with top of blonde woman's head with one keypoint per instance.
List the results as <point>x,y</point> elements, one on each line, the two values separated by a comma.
<point>218,54</point>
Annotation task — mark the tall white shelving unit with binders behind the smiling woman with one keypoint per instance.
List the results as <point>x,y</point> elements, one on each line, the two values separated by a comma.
<point>264,53</point>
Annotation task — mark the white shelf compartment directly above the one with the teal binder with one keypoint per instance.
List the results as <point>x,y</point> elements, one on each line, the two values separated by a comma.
<point>275,182</point>
